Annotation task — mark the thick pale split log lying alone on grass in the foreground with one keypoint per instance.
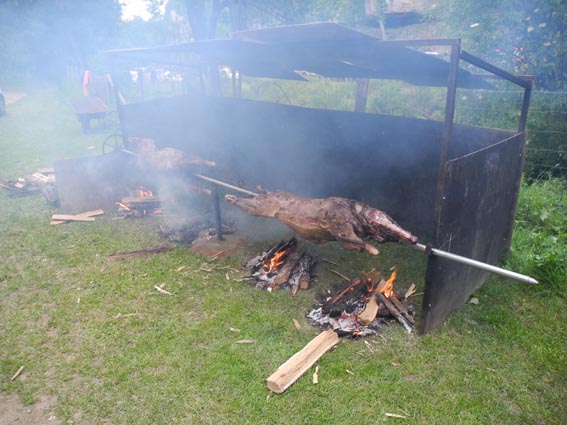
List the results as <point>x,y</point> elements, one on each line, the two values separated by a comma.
<point>301,361</point>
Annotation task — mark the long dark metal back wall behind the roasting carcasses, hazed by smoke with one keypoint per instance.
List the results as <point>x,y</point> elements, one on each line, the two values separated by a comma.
<point>386,161</point>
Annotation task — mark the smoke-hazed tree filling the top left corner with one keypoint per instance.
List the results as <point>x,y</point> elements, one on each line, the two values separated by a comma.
<point>42,37</point>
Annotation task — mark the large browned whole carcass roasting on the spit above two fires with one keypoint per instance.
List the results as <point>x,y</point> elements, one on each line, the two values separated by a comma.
<point>330,219</point>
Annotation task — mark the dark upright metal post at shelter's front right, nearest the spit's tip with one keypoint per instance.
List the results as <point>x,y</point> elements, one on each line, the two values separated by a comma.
<point>447,131</point>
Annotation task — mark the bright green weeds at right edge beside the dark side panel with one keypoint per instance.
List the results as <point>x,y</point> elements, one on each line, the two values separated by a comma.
<point>539,245</point>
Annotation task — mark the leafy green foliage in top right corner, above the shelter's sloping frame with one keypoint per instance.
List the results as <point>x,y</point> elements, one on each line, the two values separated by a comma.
<point>522,36</point>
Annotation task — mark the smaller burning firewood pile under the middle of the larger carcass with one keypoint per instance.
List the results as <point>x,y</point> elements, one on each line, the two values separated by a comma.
<point>286,265</point>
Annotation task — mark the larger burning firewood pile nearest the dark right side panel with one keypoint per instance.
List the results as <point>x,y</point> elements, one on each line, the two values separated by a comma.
<point>363,306</point>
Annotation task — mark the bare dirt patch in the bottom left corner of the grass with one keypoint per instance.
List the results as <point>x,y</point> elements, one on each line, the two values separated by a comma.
<point>12,411</point>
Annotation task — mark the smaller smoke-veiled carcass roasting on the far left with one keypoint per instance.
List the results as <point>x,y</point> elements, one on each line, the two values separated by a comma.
<point>167,158</point>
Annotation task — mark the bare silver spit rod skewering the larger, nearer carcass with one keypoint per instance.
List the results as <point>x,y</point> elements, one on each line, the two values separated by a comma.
<point>418,246</point>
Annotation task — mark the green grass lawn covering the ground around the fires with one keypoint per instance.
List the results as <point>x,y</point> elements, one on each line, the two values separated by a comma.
<point>97,336</point>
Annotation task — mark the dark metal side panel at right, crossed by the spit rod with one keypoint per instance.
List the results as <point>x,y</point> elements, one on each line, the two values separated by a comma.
<point>480,194</point>
